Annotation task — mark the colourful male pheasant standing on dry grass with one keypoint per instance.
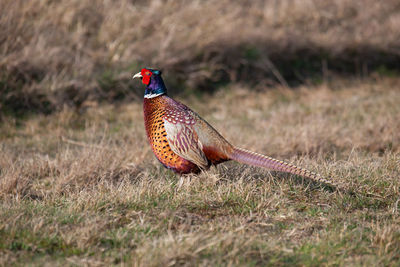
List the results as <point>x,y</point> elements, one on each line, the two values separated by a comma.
<point>185,143</point>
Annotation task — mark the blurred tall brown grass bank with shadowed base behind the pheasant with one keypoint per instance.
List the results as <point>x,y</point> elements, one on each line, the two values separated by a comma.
<point>79,52</point>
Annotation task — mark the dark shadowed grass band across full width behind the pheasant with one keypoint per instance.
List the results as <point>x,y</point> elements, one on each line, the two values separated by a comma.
<point>257,63</point>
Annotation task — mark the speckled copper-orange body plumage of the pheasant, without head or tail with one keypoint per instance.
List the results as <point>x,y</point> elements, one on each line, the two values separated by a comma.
<point>163,115</point>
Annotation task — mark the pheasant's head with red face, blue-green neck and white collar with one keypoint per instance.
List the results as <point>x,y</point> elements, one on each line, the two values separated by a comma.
<point>153,81</point>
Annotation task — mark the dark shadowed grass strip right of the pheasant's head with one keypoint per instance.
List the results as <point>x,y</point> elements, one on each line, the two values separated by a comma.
<point>271,63</point>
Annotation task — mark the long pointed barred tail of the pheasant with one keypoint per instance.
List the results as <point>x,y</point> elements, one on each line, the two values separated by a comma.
<point>255,159</point>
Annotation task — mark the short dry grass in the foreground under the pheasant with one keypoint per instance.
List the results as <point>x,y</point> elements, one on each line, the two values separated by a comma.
<point>84,188</point>
